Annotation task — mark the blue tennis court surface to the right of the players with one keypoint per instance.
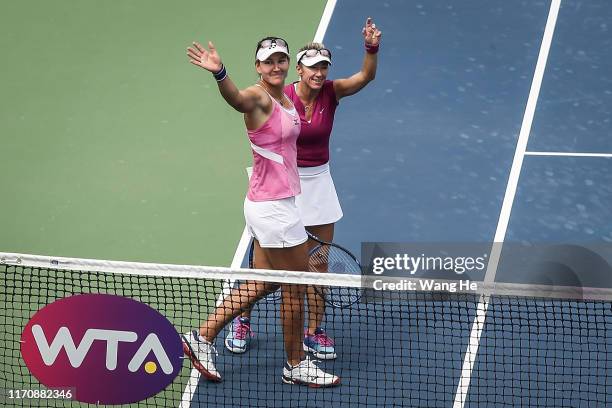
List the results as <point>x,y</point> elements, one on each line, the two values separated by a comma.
<point>488,121</point>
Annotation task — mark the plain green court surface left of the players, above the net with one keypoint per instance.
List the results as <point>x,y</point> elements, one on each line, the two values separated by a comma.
<point>113,145</point>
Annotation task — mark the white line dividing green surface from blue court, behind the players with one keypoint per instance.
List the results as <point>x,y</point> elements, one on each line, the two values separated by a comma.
<point>243,244</point>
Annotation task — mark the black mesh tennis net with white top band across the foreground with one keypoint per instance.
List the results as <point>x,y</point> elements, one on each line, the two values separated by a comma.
<point>538,346</point>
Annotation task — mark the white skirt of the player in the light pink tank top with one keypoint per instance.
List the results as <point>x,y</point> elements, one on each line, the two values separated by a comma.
<point>274,223</point>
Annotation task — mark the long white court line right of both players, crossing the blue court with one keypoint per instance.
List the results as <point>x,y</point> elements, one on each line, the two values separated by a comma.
<point>504,217</point>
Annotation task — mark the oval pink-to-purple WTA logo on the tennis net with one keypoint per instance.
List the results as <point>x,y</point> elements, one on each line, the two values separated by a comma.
<point>108,349</point>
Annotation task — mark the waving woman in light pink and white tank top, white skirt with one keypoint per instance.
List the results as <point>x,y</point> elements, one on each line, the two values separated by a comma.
<point>272,217</point>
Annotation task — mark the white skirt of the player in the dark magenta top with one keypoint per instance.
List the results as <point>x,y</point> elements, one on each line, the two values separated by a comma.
<point>318,203</point>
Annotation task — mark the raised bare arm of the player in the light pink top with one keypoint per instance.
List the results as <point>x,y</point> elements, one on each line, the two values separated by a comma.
<point>245,101</point>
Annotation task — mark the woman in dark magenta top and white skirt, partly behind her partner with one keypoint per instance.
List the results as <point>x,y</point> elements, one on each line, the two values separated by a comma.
<point>316,98</point>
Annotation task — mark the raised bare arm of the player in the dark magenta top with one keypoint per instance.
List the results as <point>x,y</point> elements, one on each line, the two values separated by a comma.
<point>353,84</point>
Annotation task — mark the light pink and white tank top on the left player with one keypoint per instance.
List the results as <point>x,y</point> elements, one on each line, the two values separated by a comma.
<point>275,174</point>
